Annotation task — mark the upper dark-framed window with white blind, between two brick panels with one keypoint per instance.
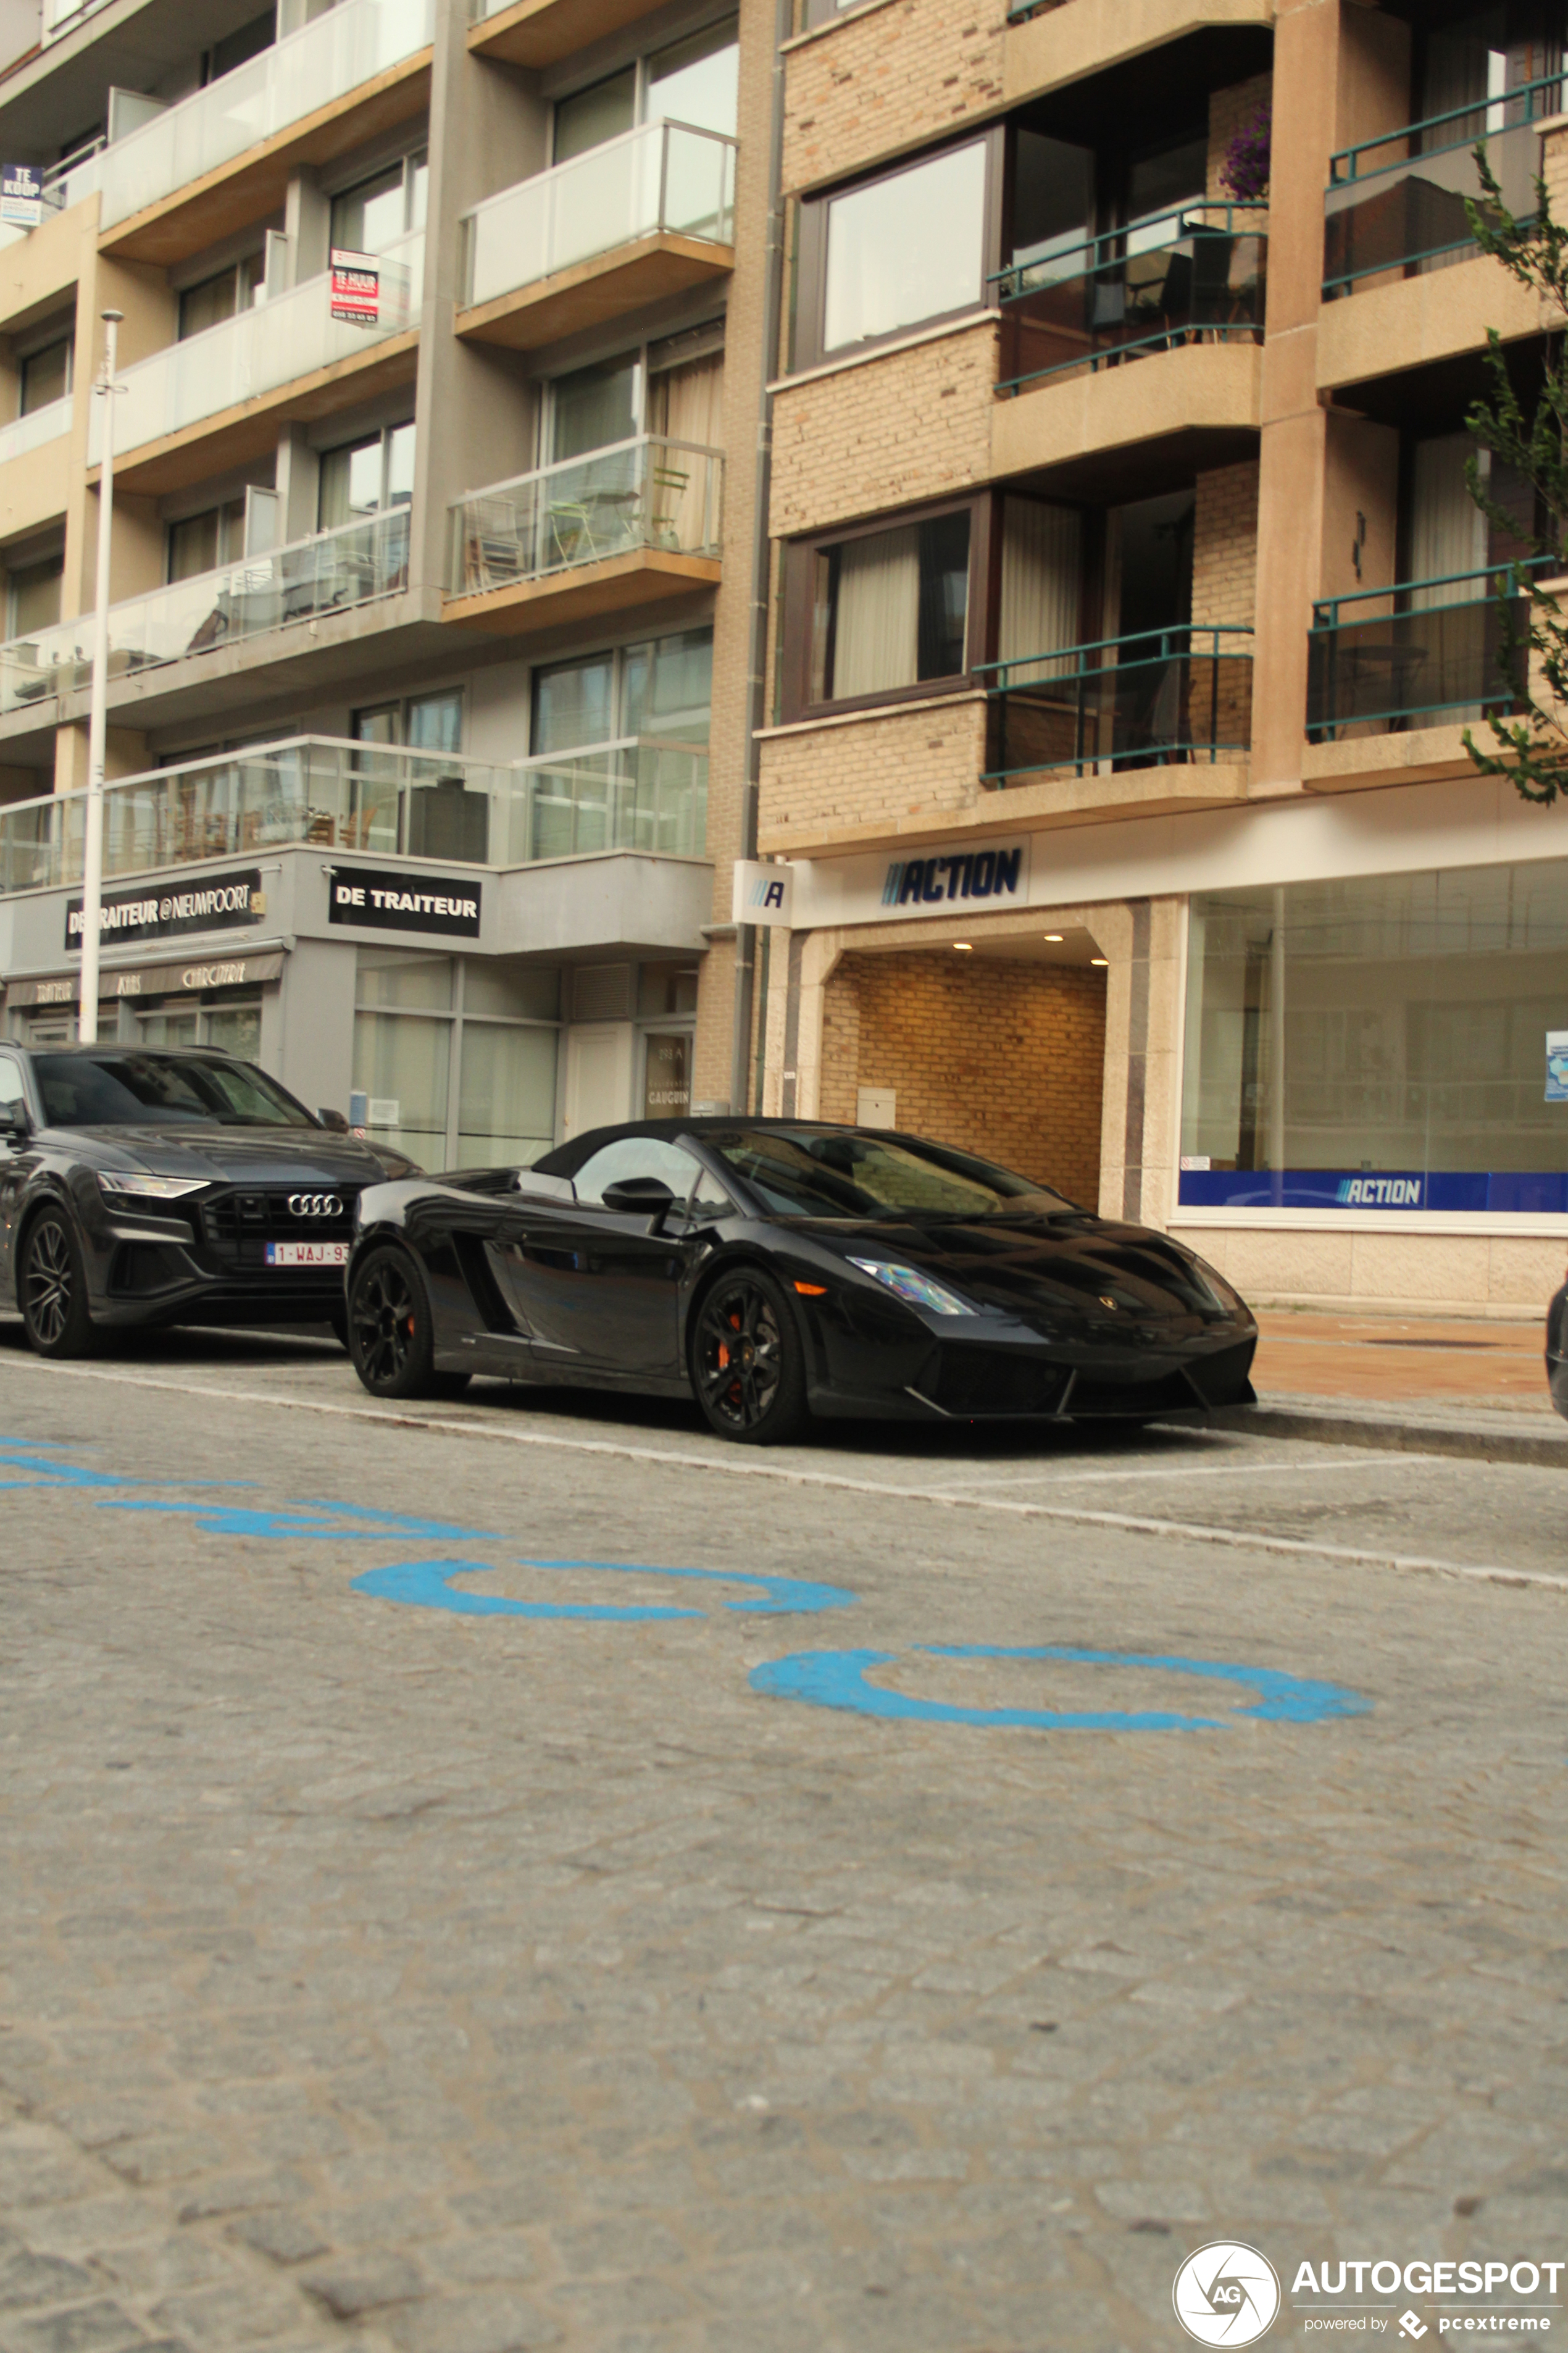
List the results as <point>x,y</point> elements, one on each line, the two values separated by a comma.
<point>896,253</point>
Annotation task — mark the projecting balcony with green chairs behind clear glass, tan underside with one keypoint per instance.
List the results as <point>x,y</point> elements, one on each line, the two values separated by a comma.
<point>599,535</point>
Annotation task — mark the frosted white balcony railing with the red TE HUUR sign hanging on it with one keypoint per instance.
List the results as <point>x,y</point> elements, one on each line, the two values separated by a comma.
<point>258,352</point>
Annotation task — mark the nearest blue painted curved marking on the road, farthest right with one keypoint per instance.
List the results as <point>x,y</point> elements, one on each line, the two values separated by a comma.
<point>837,1679</point>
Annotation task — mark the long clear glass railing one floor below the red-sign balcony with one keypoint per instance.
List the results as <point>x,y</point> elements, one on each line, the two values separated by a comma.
<point>263,594</point>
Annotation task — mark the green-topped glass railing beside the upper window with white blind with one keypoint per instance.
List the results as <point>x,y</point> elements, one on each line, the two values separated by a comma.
<point>1192,276</point>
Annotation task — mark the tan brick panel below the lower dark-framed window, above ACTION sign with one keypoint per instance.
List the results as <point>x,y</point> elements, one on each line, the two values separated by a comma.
<point>882,773</point>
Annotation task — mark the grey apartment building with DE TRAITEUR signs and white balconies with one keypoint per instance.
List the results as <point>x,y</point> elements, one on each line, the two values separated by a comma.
<point>432,596</point>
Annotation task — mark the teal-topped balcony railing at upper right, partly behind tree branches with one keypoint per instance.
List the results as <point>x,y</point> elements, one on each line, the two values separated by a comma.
<point>1397,204</point>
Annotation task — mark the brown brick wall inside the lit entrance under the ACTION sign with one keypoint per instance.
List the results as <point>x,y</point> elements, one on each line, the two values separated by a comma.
<point>1002,1060</point>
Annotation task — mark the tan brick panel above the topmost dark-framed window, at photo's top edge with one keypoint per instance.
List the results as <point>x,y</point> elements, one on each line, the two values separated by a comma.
<point>889,79</point>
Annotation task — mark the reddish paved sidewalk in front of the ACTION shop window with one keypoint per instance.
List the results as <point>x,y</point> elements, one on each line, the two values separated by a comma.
<point>1407,1385</point>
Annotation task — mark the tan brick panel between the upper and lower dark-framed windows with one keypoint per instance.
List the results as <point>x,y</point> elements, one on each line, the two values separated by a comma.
<point>886,434</point>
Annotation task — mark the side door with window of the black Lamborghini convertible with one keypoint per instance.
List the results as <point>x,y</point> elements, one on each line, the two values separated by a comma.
<point>599,1288</point>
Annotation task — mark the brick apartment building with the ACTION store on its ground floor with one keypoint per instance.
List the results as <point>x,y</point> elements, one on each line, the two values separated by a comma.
<point>1131,608</point>
